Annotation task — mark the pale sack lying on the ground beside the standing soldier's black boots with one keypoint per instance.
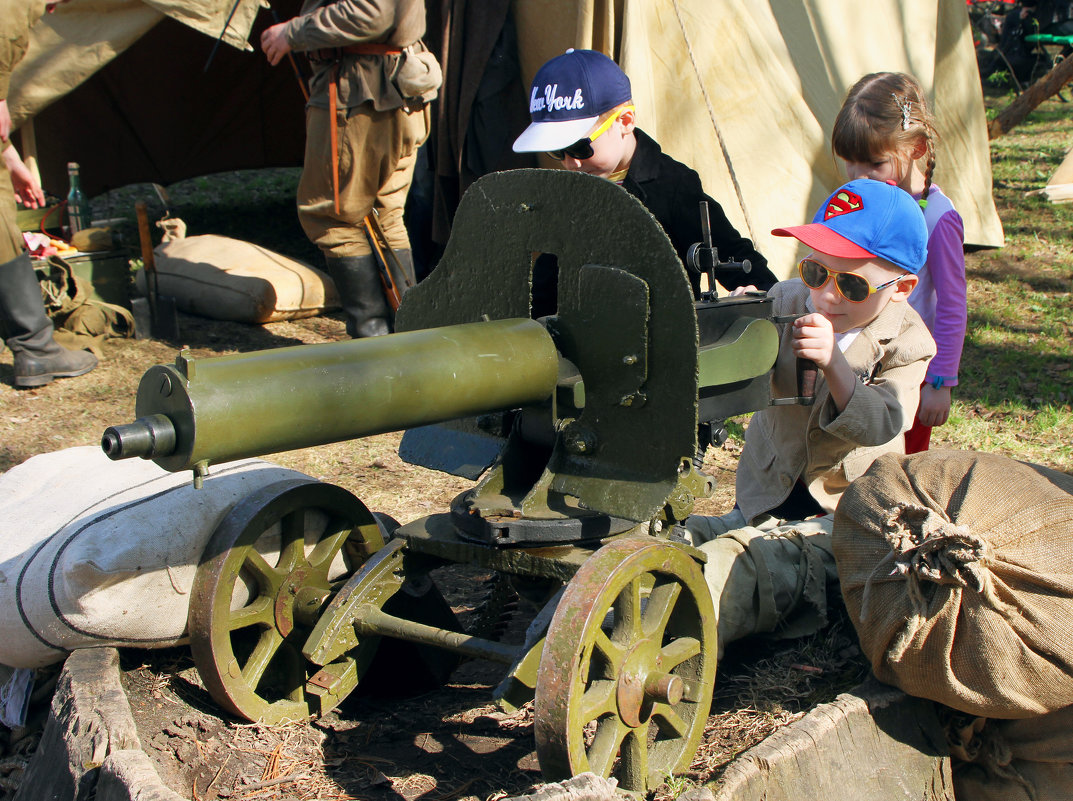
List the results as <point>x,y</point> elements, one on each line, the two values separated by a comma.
<point>221,278</point>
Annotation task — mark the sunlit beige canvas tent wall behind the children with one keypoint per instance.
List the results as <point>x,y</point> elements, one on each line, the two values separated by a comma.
<point>746,92</point>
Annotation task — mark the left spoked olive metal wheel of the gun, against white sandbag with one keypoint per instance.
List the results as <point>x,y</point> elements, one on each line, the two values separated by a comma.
<point>270,569</point>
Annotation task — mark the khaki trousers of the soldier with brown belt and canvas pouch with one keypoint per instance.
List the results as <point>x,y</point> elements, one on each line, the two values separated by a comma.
<point>377,156</point>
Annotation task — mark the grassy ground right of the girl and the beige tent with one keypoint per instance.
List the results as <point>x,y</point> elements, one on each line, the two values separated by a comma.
<point>1017,378</point>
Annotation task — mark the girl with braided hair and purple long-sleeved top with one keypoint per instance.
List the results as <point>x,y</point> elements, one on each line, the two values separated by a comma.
<point>886,132</point>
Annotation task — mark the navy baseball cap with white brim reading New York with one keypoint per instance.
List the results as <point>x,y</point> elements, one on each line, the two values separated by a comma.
<point>568,96</point>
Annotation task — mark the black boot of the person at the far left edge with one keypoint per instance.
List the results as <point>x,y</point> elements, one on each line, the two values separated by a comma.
<point>30,332</point>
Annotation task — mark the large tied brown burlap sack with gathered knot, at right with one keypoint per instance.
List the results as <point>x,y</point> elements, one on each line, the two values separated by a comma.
<point>958,571</point>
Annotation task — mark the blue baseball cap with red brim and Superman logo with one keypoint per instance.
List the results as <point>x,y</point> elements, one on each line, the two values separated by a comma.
<point>865,219</point>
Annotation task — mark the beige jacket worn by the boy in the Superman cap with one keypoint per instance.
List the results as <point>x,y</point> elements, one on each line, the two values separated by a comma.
<point>826,449</point>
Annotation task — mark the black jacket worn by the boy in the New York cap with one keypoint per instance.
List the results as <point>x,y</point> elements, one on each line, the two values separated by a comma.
<point>673,194</point>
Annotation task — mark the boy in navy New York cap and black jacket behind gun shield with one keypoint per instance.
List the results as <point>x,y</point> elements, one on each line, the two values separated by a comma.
<point>583,115</point>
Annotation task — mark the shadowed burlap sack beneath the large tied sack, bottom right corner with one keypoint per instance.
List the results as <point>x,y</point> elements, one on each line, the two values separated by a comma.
<point>1031,760</point>
